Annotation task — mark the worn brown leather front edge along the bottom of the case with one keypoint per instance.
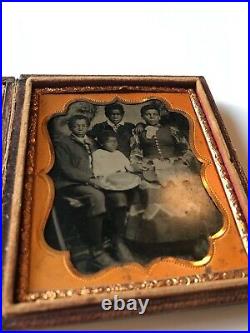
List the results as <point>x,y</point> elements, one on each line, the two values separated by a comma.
<point>83,314</point>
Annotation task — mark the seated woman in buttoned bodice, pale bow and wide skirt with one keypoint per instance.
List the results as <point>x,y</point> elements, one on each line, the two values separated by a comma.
<point>179,212</point>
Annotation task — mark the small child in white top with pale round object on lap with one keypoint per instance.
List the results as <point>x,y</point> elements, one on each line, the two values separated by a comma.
<point>109,162</point>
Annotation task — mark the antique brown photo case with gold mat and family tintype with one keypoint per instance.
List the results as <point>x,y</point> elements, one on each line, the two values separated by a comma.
<point>119,185</point>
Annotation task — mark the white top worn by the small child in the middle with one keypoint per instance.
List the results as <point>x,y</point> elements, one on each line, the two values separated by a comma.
<point>106,162</point>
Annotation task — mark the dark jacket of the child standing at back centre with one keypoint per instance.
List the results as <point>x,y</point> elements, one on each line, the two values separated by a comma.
<point>124,134</point>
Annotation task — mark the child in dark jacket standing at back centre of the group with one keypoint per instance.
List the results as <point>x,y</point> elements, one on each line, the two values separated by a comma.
<point>114,123</point>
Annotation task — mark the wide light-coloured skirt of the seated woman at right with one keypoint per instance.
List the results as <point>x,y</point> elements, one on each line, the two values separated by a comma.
<point>177,207</point>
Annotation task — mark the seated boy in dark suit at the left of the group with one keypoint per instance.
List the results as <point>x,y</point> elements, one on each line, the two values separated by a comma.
<point>72,174</point>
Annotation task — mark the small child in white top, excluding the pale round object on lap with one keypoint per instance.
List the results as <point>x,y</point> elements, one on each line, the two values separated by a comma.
<point>108,161</point>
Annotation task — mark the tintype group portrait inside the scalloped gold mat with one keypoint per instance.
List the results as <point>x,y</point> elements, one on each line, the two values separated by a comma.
<point>128,186</point>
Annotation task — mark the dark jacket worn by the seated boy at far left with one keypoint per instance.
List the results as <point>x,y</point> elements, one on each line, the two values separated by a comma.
<point>72,162</point>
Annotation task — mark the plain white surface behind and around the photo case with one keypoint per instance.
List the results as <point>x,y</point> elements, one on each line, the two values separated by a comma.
<point>207,39</point>
